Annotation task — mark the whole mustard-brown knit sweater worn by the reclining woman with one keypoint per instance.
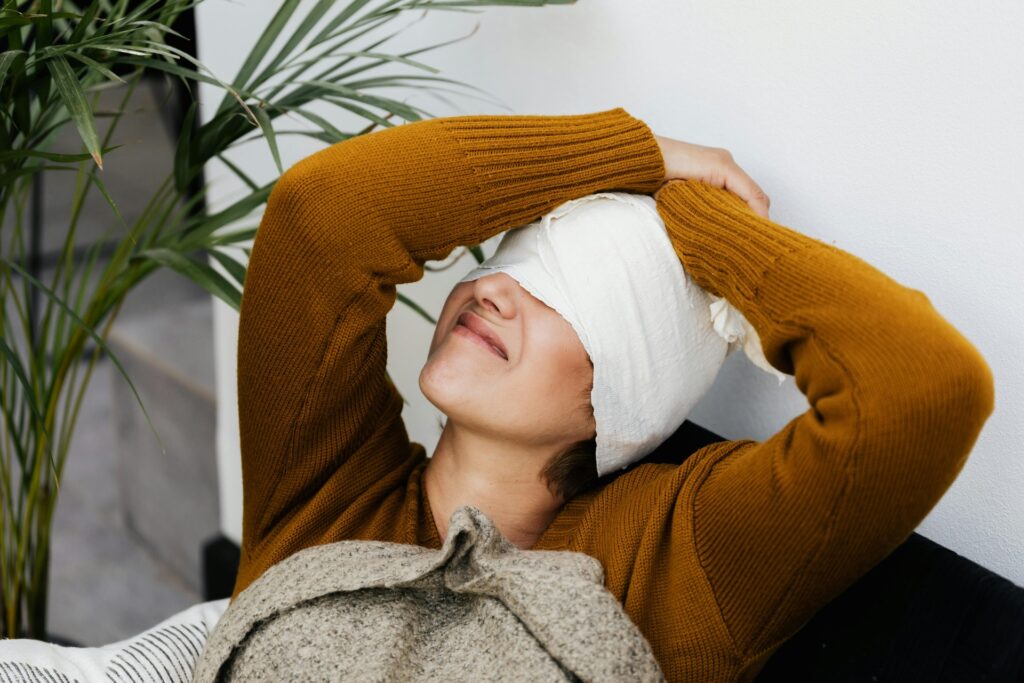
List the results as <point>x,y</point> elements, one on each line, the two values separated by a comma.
<point>719,561</point>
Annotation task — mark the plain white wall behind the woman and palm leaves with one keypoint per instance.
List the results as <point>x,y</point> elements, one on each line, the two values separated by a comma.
<point>891,131</point>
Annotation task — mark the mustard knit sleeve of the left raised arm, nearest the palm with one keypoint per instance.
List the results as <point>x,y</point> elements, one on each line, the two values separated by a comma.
<point>322,438</point>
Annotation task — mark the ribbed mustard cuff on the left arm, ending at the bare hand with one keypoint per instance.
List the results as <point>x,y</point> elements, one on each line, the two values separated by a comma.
<point>578,154</point>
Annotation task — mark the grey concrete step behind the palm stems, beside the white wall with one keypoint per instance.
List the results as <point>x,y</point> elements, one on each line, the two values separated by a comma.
<point>169,499</point>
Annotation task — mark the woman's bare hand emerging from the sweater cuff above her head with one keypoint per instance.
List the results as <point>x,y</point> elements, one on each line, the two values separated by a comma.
<point>714,166</point>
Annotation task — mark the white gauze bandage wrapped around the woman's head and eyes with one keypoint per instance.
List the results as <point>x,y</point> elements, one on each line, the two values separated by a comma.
<point>657,339</point>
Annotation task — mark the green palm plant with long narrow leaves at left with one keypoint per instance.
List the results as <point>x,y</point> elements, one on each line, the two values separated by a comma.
<point>56,57</point>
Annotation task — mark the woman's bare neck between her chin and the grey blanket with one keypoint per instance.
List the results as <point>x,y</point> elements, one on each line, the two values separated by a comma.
<point>500,479</point>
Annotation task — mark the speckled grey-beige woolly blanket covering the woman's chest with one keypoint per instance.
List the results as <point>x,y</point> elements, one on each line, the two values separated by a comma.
<point>478,610</point>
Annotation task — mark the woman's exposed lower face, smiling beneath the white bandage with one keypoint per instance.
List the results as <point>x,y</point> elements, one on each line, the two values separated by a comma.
<point>538,396</point>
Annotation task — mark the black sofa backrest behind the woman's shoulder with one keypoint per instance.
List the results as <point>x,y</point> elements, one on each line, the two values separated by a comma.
<point>923,614</point>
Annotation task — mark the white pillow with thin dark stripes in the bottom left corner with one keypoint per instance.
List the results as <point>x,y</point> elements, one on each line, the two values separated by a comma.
<point>166,653</point>
